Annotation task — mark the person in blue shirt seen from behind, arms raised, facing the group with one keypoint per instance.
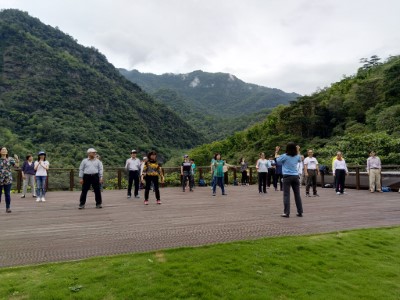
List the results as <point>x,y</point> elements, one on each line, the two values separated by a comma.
<point>289,162</point>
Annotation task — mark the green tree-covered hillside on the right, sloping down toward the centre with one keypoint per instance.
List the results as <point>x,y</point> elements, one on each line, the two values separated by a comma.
<point>358,114</point>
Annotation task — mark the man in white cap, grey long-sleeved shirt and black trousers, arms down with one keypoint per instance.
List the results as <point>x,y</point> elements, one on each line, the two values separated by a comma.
<point>91,175</point>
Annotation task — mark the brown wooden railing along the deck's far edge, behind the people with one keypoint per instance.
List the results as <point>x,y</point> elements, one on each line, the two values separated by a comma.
<point>67,178</point>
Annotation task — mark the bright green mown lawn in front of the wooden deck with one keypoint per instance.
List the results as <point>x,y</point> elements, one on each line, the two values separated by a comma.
<point>360,264</point>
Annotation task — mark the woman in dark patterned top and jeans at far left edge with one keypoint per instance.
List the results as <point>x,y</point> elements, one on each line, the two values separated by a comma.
<point>6,165</point>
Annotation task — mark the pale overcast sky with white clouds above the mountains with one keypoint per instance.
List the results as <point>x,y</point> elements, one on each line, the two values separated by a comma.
<point>294,45</point>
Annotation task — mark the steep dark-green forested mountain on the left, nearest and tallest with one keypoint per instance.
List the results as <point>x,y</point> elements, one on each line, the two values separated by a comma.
<point>62,97</point>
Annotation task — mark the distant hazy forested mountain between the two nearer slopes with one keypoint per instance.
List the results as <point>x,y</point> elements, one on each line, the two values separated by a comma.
<point>216,104</point>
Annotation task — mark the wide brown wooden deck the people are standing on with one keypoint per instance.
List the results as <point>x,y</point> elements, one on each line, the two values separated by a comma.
<point>57,231</point>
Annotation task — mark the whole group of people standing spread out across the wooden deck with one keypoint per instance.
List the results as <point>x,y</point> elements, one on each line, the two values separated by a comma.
<point>285,169</point>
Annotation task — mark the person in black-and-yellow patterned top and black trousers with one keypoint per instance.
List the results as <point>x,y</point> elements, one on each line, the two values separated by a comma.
<point>151,171</point>
